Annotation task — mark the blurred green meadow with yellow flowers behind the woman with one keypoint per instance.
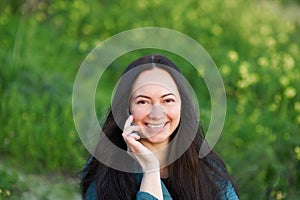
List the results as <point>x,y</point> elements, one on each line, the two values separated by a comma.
<point>255,44</point>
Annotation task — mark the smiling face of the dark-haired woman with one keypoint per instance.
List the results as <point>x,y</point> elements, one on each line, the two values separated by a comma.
<point>155,105</point>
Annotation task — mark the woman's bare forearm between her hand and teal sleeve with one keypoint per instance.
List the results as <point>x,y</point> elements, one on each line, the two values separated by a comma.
<point>151,184</point>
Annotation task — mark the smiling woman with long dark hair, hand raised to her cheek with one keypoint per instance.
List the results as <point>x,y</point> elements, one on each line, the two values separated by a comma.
<point>153,118</point>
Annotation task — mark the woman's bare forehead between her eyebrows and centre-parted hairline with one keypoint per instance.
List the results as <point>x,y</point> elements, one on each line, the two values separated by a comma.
<point>155,77</point>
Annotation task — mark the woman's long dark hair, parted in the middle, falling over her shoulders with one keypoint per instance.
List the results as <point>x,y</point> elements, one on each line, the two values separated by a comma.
<point>190,177</point>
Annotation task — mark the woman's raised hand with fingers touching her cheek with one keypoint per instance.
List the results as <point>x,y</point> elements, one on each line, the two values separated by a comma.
<point>143,155</point>
